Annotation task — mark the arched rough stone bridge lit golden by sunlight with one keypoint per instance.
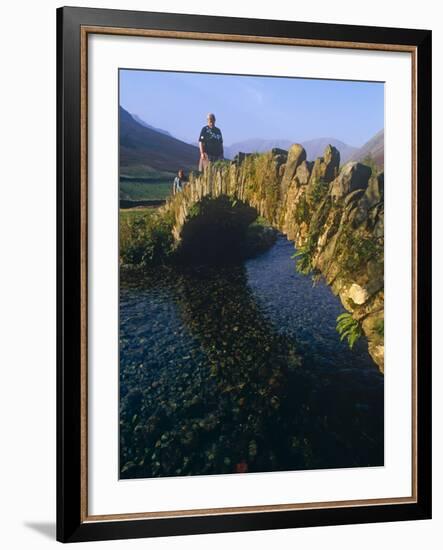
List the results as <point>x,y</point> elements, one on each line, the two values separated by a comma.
<point>334,215</point>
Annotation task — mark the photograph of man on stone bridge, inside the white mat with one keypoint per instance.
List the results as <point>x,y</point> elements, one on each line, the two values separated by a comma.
<point>251,273</point>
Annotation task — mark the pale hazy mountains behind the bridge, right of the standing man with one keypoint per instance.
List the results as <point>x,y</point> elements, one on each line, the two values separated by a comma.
<point>314,147</point>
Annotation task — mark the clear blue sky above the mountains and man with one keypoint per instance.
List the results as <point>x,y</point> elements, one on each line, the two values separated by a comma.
<point>254,106</point>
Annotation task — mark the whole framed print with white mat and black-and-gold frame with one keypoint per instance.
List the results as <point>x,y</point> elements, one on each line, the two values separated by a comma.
<point>244,338</point>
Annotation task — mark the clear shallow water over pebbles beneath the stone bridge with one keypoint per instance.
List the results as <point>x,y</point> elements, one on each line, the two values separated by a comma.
<point>240,369</point>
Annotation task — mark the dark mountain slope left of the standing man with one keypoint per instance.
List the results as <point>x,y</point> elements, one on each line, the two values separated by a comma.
<point>152,150</point>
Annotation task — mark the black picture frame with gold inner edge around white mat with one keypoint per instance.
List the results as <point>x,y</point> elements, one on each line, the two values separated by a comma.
<point>73,26</point>
